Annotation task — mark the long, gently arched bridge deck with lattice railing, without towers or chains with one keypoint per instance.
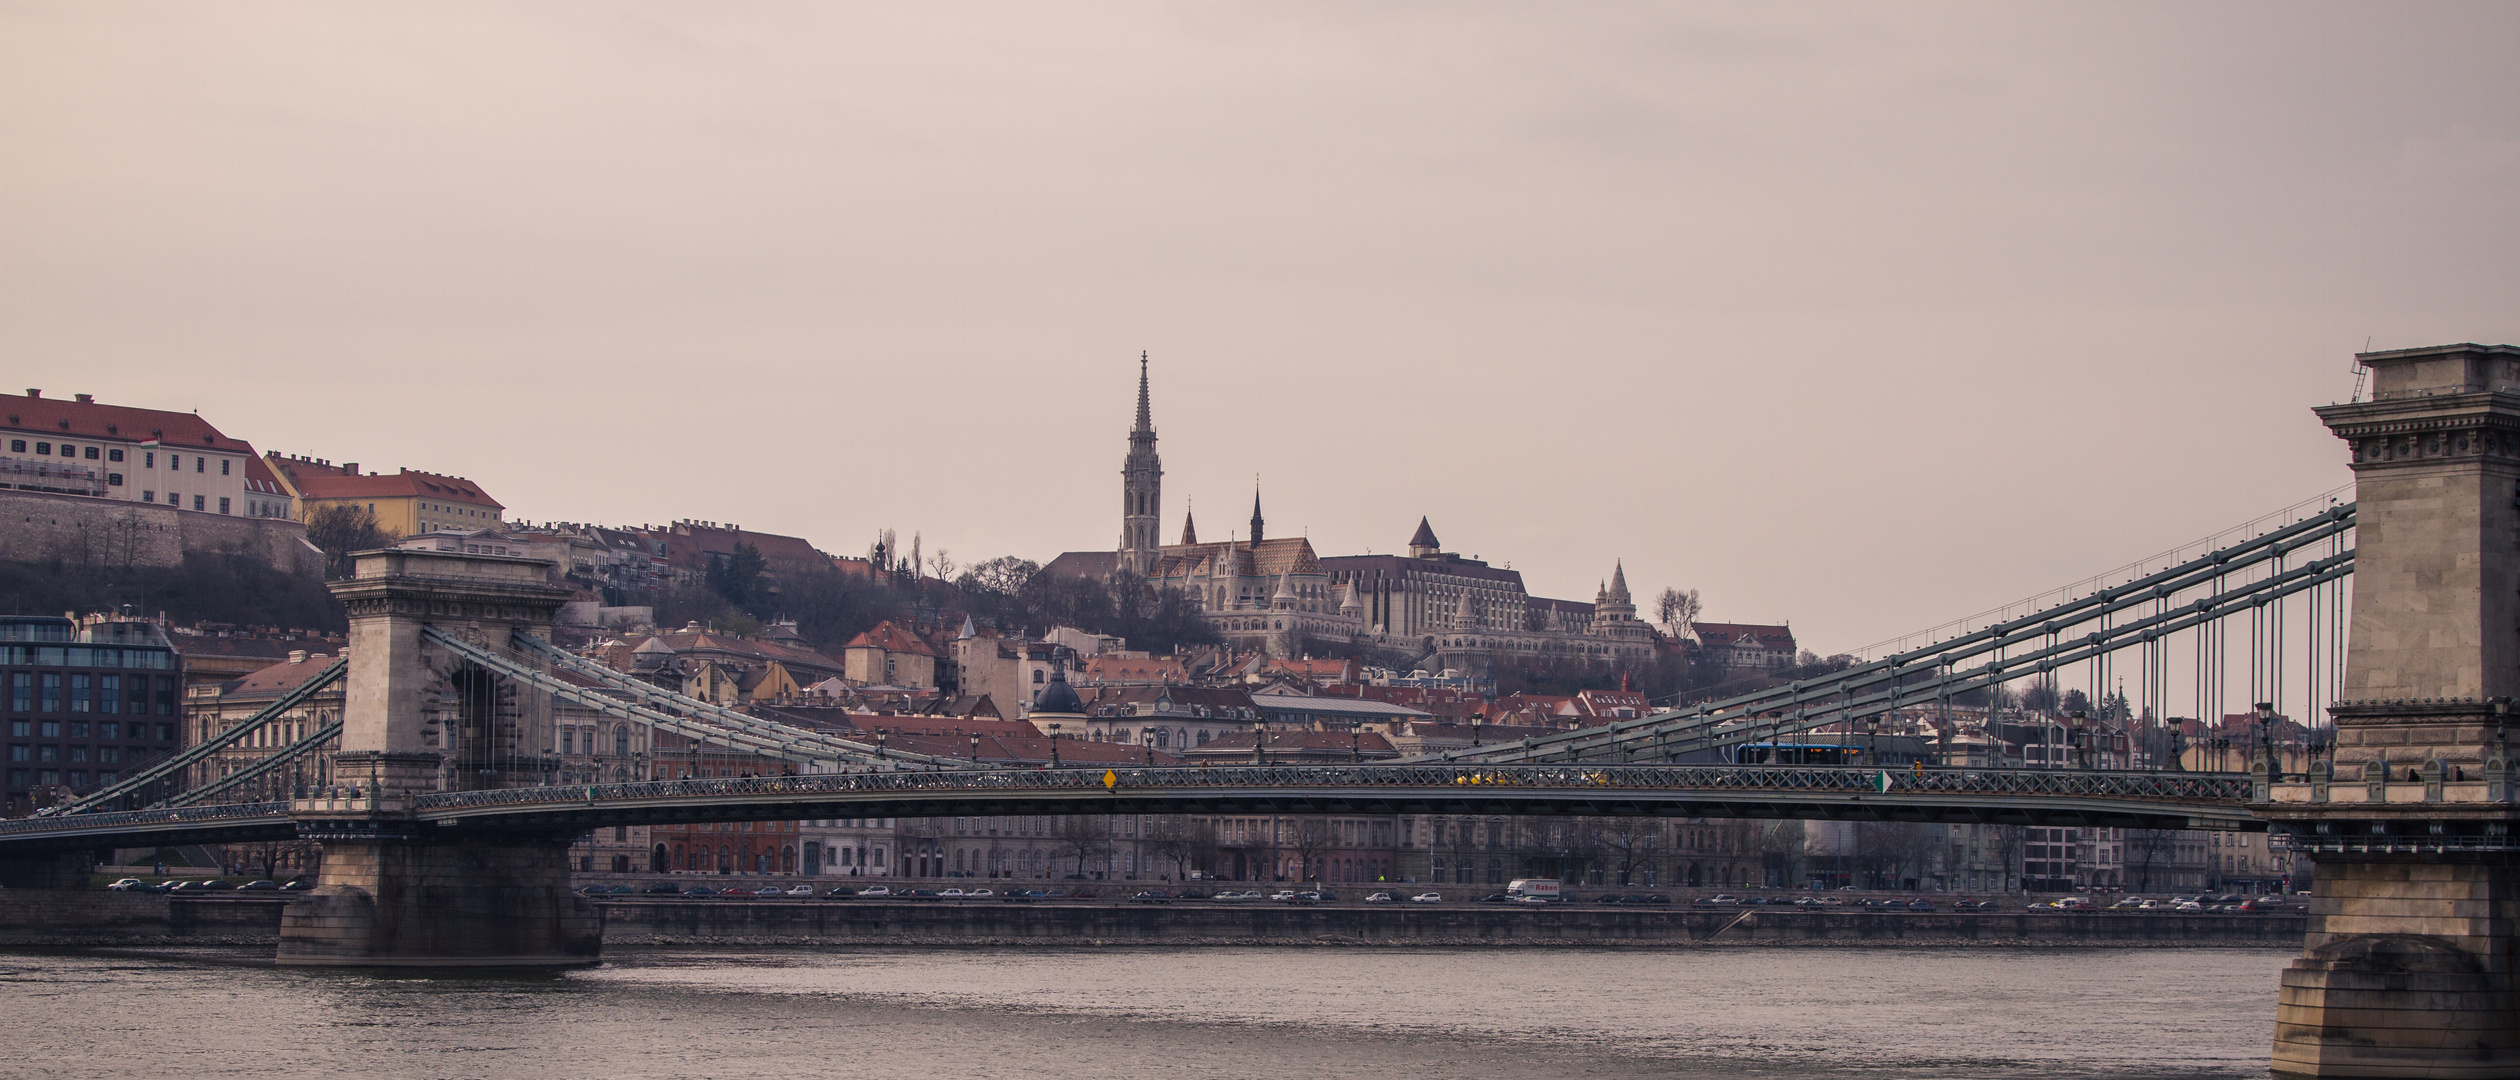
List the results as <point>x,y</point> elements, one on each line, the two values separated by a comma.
<point>1680,792</point>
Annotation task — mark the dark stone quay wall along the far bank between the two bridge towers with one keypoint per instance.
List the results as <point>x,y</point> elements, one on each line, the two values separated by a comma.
<point>1206,925</point>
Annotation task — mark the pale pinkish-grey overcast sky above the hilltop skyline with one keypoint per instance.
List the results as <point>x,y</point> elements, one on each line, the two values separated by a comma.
<point>1848,316</point>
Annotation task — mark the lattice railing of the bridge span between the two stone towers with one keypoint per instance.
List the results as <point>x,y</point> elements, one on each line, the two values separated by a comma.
<point>1468,779</point>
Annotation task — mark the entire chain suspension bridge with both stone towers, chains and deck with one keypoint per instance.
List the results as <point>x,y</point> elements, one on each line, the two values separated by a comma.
<point>2405,794</point>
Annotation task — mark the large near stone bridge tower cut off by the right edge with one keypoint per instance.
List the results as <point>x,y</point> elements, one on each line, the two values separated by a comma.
<point>2415,918</point>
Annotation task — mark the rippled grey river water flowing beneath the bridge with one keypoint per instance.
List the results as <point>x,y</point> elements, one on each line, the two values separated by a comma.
<point>1163,1013</point>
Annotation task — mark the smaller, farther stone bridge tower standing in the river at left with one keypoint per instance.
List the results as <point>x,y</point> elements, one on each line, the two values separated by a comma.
<point>394,892</point>
